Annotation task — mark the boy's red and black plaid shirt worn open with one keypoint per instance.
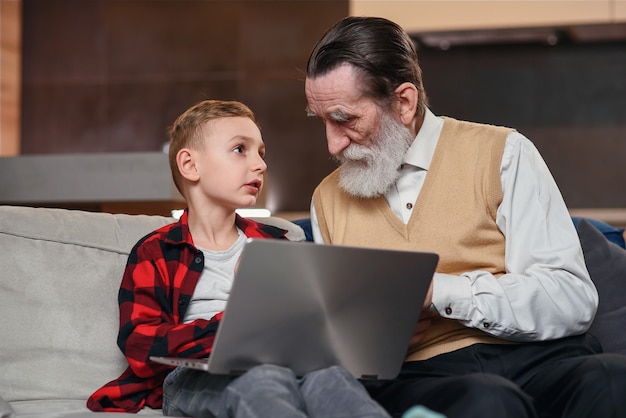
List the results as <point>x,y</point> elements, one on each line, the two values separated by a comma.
<point>161,274</point>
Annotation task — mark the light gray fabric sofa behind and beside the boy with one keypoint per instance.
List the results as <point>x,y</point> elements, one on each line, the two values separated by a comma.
<point>60,271</point>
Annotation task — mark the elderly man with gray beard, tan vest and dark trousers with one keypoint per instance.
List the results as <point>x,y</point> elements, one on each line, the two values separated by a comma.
<point>502,332</point>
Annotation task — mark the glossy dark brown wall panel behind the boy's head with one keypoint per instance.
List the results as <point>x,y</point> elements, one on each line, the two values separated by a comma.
<point>110,75</point>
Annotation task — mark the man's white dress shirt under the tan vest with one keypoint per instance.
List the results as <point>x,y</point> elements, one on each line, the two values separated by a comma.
<point>546,292</point>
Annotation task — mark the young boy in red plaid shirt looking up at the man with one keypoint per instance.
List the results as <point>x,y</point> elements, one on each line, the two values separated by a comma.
<point>177,281</point>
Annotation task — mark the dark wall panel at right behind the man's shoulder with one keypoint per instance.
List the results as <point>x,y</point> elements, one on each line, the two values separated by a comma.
<point>569,99</point>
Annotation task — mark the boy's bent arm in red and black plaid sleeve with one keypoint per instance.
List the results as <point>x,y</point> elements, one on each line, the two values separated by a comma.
<point>152,288</point>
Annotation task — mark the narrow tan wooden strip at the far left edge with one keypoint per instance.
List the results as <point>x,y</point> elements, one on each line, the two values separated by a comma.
<point>10,76</point>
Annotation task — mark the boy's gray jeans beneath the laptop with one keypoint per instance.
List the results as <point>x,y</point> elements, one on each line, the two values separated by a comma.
<point>268,391</point>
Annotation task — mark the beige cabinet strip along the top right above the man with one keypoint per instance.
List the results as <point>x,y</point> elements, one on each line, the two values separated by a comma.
<point>433,15</point>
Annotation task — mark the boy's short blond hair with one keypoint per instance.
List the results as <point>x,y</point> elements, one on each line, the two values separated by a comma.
<point>190,128</point>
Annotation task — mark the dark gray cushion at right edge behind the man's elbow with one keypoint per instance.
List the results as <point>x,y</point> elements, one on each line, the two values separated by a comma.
<point>606,263</point>
